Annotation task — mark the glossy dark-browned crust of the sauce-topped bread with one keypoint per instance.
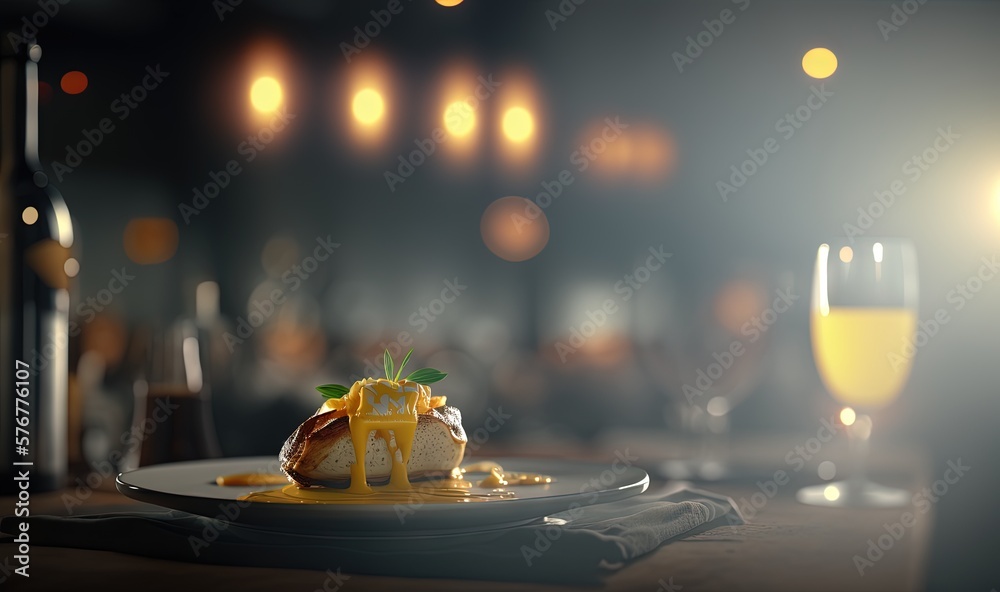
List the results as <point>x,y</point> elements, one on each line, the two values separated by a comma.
<point>320,430</point>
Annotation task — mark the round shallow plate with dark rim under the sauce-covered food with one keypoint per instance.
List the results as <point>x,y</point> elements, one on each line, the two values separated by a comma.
<point>190,486</point>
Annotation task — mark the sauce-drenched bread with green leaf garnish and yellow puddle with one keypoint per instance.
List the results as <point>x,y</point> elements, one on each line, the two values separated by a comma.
<point>384,440</point>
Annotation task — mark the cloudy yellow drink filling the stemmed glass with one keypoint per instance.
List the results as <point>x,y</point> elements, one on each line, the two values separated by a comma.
<point>852,347</point>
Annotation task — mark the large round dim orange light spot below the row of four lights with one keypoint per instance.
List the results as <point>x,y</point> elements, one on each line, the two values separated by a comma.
<point>514,228</point>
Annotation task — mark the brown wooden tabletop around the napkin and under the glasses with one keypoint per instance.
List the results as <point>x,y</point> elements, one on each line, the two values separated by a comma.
<point>785,546</point>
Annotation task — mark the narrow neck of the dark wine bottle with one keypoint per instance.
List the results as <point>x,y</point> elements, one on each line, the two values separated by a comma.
<point>19,108</point>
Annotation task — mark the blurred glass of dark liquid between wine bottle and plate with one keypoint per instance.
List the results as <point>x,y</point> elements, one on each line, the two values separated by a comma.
<point>172,418</point>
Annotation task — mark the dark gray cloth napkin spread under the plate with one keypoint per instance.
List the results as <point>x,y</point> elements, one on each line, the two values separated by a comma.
<point>564,548</point>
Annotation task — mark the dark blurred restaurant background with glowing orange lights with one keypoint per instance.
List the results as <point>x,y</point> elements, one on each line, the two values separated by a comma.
<point>571,208</point>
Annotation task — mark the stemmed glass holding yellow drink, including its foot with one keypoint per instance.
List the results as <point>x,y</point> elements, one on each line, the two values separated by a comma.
<point>863,312</point>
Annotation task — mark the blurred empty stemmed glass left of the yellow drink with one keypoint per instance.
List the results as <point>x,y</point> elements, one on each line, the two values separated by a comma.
<point>706,355</point>
